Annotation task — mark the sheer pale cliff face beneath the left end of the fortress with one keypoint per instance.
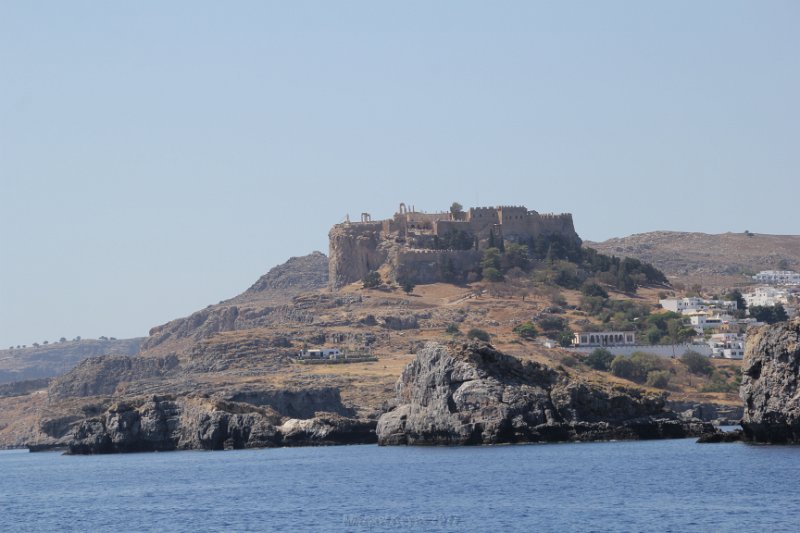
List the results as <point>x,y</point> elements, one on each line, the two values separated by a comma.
<point>355,250</point>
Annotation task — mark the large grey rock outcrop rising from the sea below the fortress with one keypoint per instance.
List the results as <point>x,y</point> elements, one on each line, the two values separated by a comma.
<point>473,394</point>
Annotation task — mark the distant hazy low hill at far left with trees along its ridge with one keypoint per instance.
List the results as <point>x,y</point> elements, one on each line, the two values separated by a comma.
<point>51,360</point>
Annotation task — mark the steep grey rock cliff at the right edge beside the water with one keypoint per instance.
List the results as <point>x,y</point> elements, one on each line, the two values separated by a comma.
<point>770,380</point>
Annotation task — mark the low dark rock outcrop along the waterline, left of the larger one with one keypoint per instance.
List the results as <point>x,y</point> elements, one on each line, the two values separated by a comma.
<point>166,423</point>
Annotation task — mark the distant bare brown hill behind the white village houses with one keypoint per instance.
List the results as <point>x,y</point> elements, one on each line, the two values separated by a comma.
<point>714,261</point>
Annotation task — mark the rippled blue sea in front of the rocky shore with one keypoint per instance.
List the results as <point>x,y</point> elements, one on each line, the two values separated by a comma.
<point>666,485</point>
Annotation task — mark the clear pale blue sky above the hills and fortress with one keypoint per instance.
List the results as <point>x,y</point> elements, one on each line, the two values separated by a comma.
<point>158,157</point>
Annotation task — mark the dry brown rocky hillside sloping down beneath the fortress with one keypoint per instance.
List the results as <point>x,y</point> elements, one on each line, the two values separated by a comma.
<point>239,352</point>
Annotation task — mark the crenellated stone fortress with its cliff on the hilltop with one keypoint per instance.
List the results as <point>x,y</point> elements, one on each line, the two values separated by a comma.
<point>431,247</point>
